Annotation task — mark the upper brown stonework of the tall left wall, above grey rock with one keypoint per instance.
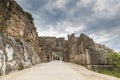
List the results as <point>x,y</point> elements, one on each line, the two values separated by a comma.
<point>16,23</point>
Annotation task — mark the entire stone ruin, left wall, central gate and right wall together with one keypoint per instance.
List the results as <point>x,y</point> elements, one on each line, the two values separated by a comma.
<point>21,47</point>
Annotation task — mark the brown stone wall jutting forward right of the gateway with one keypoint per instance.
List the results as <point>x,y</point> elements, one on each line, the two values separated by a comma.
<point>83,50</point>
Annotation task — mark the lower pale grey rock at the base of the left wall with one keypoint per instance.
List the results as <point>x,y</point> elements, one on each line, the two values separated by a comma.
<point>16,55</point>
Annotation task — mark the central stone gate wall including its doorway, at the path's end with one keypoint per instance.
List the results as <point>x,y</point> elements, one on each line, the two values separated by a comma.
<point>54,47</point>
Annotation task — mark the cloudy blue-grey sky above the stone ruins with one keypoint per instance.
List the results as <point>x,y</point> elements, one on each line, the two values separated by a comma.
<point>99,19</point>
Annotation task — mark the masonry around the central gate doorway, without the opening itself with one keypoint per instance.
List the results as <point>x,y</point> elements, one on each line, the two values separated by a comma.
<point>50,44</point>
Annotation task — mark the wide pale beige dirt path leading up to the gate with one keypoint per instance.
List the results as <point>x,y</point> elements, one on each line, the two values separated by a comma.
<point>57,70</point>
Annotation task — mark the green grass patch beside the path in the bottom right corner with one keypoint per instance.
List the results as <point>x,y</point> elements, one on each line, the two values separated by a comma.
<point>114,72</point>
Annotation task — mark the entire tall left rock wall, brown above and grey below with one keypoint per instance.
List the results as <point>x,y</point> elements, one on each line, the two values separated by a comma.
<point>19,47</point>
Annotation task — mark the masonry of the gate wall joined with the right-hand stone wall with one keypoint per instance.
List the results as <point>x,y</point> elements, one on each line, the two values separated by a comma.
<point>81,50</point>
